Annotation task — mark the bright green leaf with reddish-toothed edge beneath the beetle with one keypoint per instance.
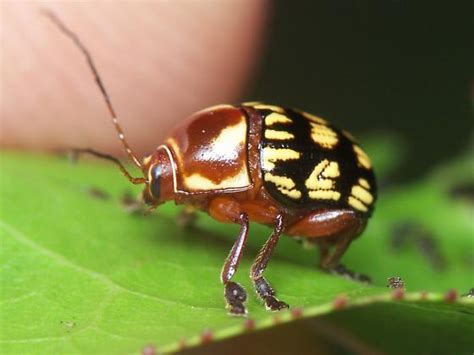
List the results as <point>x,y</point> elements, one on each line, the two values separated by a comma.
<point>79,275</point>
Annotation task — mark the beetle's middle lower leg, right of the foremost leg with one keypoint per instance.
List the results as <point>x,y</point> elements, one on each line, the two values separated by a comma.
<point>263,288</point>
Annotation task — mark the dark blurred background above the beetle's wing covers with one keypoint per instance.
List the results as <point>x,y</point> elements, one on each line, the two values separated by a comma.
<point>394,65</point>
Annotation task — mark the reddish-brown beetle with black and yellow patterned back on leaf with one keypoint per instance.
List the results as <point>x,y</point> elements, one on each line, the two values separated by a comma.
<point>285,168</point>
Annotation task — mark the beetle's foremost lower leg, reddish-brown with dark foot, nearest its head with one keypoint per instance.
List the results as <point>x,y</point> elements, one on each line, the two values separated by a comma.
<point>235,294</point>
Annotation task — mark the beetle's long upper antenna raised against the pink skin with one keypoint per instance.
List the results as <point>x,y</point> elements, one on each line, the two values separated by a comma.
<point>62,27</point>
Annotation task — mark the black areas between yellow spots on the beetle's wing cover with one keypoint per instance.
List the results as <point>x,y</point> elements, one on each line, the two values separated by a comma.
<point>311,155</point>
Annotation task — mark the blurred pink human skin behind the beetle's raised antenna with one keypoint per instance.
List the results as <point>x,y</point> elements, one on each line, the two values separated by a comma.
<point>160,61</point>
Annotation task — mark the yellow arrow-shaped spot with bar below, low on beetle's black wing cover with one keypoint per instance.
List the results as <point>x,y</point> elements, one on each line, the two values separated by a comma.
<point>320,182</point>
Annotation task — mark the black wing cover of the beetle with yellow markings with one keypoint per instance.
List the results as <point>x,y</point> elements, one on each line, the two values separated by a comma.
<point>305,161</point>
